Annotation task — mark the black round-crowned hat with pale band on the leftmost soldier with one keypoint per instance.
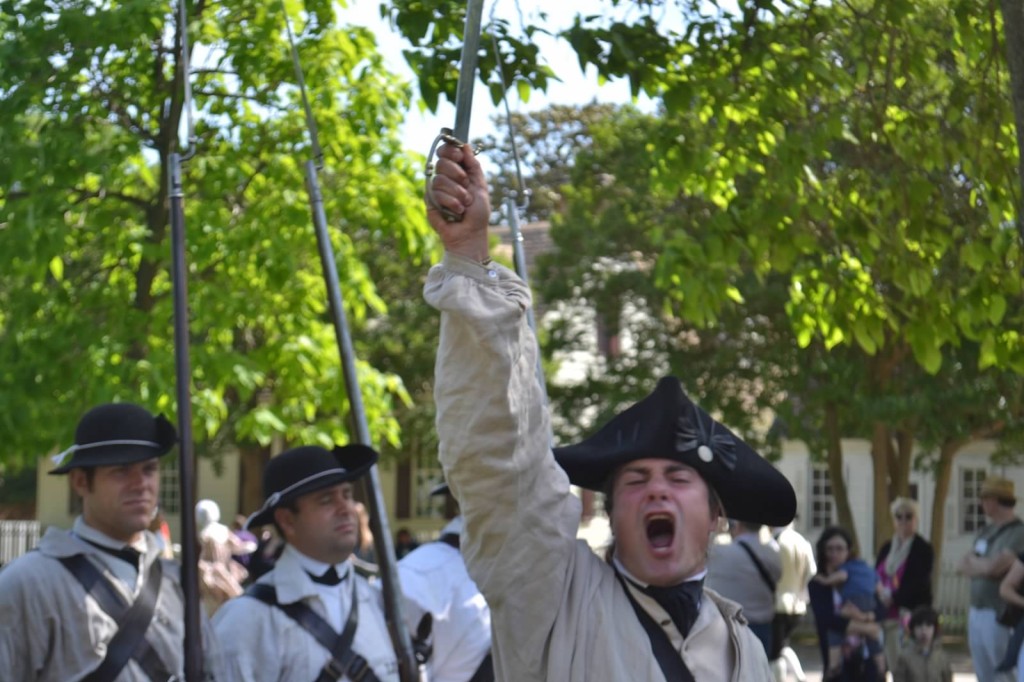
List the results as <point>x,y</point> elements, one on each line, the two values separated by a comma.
<point>117,434</point>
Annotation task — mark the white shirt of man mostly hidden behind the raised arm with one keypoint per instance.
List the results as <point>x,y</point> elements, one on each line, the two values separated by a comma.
<point>435,580</point>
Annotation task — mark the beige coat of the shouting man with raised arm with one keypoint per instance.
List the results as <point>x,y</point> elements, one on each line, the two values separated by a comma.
<point>559,612</point>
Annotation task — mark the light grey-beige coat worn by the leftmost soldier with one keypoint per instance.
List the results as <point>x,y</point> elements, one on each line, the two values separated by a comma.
<point>52,632</point>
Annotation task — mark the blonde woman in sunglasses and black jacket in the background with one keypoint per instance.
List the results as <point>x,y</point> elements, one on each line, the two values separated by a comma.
<point>905,569</point>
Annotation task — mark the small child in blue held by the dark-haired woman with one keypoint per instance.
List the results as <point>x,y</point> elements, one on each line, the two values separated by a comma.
<point>857,583</point>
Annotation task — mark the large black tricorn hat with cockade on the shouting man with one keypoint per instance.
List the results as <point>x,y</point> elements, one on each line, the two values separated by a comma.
<point>668,425</point>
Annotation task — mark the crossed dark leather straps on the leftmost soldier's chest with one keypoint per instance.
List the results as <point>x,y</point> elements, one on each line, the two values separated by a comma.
<point>134,622</point>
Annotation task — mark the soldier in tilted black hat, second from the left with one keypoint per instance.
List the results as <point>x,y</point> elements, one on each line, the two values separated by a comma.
<point>312,617</point>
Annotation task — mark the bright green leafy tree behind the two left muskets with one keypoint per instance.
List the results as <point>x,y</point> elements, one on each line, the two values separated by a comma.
<point>92,106</point>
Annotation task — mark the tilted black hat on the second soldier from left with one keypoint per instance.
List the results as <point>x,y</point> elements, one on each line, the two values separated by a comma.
<point>307,470</point>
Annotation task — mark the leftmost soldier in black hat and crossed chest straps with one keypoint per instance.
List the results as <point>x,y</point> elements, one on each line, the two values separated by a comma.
<point>98,602</point>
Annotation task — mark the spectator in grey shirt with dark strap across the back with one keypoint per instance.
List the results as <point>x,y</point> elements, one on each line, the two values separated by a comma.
<point>747,572</point>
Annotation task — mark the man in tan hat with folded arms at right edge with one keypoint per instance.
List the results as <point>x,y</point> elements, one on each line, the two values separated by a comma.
<point>996,547</point>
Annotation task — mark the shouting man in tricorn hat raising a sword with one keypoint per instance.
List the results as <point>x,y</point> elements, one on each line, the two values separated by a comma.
<point>668,470</point>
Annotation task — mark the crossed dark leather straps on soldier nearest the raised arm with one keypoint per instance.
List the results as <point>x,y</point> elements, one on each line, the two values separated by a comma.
<point>344,660</point>
